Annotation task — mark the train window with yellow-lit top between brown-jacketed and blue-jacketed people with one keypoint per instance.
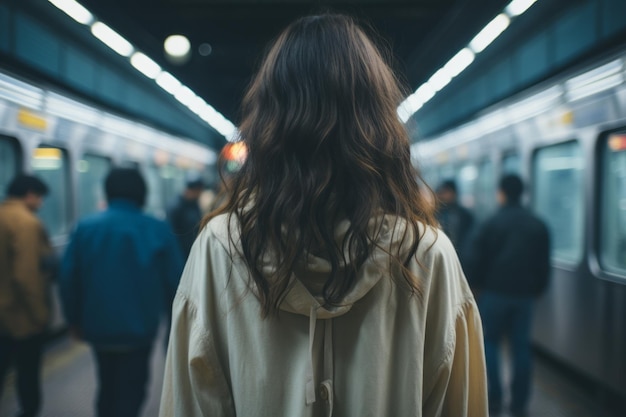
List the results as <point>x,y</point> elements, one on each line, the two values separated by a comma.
<point>50,164</point>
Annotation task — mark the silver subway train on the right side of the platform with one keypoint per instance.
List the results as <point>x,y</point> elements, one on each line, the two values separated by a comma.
<point>567,138</point>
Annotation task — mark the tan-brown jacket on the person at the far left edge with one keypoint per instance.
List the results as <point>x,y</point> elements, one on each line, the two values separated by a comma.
<point>24,284</point>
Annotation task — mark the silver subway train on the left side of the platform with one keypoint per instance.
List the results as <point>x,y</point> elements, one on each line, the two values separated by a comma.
<point>71,146</point>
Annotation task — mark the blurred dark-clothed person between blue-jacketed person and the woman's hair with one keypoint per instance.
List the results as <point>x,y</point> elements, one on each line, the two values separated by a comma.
<point>185,215</point>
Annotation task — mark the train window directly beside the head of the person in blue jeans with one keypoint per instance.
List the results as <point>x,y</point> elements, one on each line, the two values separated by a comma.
<point>558,198</point>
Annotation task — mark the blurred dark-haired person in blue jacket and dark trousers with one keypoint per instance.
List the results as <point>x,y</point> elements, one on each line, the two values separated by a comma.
<point>118,276</point>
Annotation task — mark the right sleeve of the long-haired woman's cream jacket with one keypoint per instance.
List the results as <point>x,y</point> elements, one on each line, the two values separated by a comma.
<point>455,380</point>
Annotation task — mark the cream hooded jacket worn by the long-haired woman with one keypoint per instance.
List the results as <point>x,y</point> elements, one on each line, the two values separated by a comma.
<point>382,352</point>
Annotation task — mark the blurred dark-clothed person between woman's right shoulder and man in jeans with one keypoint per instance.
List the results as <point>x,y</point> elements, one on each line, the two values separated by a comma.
<point>455,220</point>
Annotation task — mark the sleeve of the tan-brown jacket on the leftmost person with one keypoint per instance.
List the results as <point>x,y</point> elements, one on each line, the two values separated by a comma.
<point>31,247</point>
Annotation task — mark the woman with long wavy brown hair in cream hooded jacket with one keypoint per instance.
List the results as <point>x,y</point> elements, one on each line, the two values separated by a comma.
<point>321,288</point>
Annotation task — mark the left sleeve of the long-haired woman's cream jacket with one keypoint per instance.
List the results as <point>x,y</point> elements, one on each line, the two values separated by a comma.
<point>194,384</point>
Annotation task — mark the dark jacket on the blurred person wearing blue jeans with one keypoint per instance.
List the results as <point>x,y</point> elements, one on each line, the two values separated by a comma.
<point>510,254</point>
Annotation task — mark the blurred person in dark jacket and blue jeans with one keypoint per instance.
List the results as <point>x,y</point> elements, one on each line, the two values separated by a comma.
<point>509,267</point>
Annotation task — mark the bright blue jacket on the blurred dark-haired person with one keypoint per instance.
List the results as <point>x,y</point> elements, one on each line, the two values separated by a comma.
<point>119,274</point>
